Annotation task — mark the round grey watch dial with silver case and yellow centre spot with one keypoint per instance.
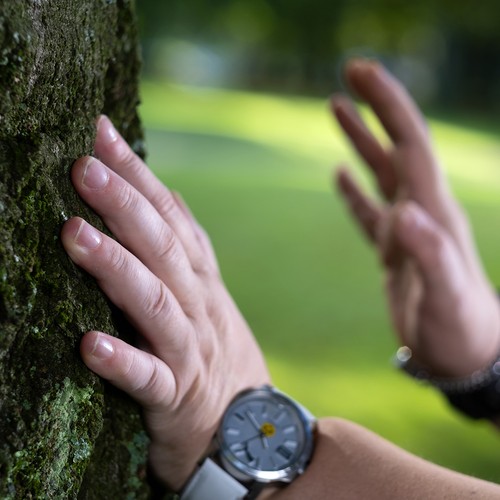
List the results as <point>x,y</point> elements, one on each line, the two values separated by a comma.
<point>264,436</point>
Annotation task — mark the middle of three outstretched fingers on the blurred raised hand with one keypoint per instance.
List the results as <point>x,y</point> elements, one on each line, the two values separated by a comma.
<point>366,144</point>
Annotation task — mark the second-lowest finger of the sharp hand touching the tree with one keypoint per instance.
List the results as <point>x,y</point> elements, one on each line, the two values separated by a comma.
<point>145,299</point>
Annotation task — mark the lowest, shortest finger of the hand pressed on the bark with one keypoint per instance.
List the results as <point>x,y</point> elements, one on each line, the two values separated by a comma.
<point>141,375</point>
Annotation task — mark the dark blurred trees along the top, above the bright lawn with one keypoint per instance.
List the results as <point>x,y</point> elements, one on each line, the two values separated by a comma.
<point>446,52</point>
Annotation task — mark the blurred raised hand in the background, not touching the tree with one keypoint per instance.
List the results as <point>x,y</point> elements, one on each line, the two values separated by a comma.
<point>441,303</point>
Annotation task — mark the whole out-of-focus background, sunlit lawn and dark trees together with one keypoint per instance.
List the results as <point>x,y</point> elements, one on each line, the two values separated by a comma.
<point>235,108</point>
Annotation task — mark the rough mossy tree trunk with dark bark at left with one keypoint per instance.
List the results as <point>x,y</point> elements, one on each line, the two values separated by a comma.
<point>63,433</point>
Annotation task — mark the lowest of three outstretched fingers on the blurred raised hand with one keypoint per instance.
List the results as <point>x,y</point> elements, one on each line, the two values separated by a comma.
<point>365,212</point>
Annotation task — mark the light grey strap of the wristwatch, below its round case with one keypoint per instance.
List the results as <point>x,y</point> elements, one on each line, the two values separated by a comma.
<point>212,482</point>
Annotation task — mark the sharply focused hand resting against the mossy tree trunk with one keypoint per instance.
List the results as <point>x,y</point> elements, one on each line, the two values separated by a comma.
<point>196,351</point>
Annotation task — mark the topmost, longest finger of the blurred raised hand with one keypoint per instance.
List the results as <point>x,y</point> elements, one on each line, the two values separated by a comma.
<point>389,100</point>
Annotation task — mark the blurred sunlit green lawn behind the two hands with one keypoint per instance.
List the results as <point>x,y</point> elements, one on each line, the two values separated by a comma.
<point>256,171</point>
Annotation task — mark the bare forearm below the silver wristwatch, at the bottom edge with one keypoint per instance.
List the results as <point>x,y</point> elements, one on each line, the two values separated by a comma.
<point>351,462</point>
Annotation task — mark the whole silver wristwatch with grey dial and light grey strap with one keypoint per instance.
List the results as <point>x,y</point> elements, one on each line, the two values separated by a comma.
<point>264,437</point>
